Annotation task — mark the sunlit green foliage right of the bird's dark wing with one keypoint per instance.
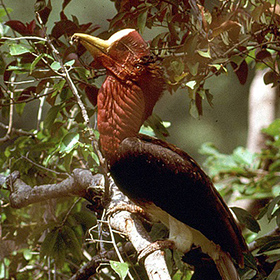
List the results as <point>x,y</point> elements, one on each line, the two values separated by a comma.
<point>244,172</point>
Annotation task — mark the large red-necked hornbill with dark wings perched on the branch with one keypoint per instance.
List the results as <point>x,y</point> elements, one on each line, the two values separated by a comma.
<point>163,180</point>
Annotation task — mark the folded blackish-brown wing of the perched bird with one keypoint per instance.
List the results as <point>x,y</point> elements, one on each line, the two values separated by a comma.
<point>151,170</point>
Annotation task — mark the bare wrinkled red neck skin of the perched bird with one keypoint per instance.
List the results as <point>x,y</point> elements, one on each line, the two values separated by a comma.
<point>121,112</point>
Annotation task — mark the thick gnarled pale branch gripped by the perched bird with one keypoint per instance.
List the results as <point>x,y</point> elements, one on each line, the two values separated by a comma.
<point>82,183</point>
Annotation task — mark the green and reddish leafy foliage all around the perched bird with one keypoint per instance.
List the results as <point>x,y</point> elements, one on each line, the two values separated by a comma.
<point>194,42</point>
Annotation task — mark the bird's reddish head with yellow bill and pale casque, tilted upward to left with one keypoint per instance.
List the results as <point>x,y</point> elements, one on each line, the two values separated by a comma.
<point>127,56</point>
